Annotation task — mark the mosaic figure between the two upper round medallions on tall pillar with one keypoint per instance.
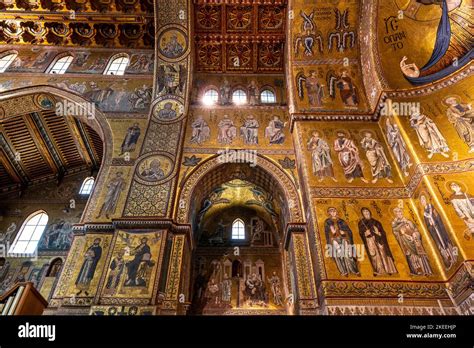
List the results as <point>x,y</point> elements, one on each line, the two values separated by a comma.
<point>172,79</point>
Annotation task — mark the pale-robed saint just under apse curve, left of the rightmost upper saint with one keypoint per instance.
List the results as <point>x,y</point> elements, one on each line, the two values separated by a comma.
<point>429,136</point>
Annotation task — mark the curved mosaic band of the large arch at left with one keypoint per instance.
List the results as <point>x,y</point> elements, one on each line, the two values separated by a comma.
<point>90,115</point>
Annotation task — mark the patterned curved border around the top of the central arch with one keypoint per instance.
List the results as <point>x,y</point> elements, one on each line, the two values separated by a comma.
<point>285,183</point>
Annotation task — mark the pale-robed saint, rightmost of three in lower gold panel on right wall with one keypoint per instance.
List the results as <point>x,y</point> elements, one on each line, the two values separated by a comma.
<point>409,239</point>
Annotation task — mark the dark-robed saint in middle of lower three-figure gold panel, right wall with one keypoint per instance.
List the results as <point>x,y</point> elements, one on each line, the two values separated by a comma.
<point>375,240</point>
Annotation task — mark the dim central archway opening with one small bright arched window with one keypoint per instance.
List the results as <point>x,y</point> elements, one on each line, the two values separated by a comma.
<point>238,219</point>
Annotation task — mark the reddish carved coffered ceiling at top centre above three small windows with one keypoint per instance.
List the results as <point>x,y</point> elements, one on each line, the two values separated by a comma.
<point>243,37</point>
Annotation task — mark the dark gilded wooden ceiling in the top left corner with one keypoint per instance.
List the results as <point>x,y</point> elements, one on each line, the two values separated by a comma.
<point>91,23</point>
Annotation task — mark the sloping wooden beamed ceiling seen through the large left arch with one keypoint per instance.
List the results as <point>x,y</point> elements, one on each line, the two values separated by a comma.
<point>43,146</point>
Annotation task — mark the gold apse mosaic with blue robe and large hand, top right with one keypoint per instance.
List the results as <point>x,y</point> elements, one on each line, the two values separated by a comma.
<point>447,24</point>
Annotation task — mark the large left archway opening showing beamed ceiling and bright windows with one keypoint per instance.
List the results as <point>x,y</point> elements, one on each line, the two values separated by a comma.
<point>50,157</point>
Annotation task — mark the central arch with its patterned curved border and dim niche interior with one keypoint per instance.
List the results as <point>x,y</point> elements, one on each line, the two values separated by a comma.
<point>265,254</point>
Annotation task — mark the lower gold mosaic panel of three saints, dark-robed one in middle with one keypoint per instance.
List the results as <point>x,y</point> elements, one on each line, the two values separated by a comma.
<point>378,238</point>
